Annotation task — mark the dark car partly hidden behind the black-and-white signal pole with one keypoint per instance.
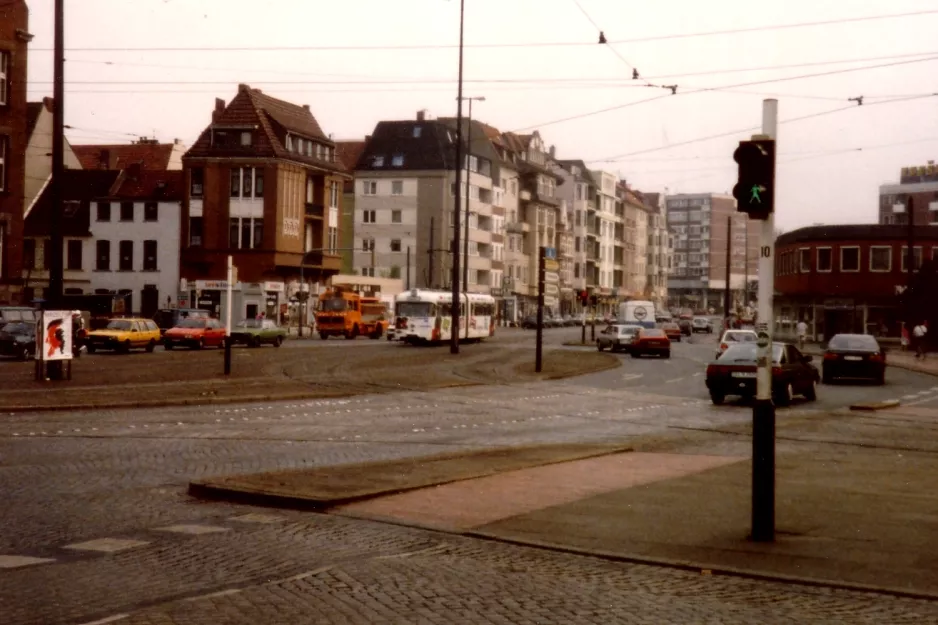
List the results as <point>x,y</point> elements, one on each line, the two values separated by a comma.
<point>734,373</point>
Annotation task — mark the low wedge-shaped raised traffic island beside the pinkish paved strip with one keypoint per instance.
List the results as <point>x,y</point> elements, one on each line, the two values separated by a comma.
<point>327,487</point>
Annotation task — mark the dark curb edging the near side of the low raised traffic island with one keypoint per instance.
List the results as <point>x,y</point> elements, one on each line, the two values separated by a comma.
<point>205,489</point>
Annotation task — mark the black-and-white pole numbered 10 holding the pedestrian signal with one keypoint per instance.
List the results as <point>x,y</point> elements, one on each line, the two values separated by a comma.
<point>763,411</point>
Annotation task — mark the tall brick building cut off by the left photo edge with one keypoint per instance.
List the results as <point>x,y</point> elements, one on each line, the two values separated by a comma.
<point>14,39</point>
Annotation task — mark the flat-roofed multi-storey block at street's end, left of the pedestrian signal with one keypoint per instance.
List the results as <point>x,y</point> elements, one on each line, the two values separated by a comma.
<point>700,227</point>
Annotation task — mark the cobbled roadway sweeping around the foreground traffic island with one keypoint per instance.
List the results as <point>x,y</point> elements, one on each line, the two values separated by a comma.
<point>78,486</point>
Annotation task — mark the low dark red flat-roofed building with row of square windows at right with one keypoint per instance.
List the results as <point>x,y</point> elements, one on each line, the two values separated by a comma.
<point>845,278</point>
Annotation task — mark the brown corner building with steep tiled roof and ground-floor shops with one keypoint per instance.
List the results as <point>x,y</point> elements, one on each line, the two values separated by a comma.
<point>263,185</point>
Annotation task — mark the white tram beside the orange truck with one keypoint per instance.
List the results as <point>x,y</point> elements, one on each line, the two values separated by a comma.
<point>425,316</point>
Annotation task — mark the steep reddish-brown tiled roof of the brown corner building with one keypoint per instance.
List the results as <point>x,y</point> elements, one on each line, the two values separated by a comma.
<point>271,120</point>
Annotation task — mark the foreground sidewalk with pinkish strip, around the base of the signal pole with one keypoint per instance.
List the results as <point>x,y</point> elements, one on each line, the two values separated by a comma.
<point>856,503</point>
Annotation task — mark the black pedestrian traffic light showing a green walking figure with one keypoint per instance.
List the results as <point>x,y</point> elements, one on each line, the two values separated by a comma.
<point>755,189</point>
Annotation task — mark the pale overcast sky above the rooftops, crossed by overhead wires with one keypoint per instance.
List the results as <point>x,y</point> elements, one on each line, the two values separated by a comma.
<point>154,67</point>
